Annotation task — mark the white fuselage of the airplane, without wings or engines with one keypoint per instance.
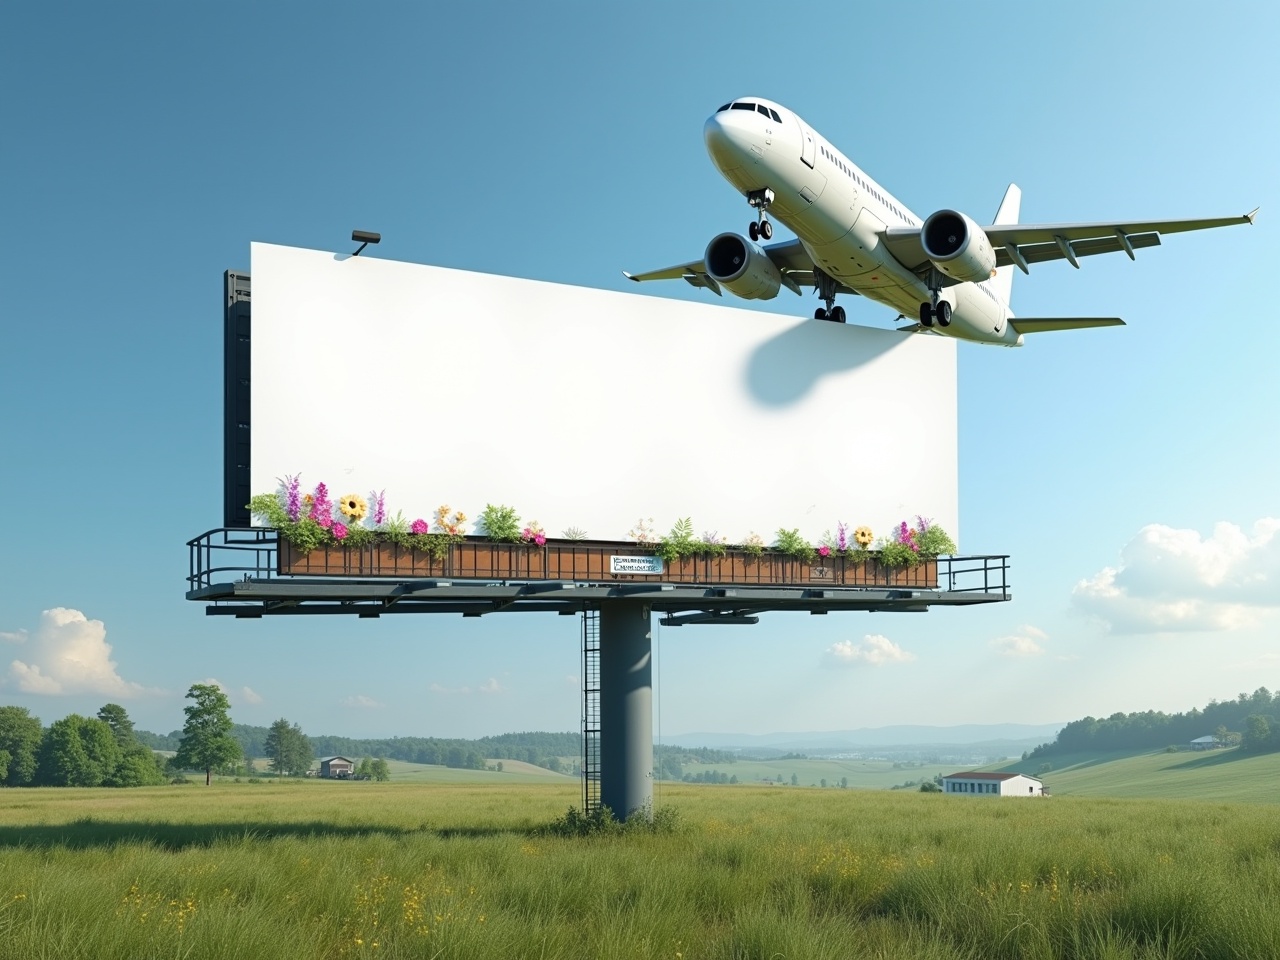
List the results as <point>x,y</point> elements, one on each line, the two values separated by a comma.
<point>838,213</point>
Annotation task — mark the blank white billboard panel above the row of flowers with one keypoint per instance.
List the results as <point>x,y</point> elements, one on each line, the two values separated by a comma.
<point>587,409</point>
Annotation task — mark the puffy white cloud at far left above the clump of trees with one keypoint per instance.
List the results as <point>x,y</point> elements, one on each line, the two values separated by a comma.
<point>70,655</point>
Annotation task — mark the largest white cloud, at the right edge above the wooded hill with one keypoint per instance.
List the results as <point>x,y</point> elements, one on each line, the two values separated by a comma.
<point>1176,580</point>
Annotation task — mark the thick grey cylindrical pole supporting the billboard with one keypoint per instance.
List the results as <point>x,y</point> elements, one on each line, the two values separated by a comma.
<point>627,707</point>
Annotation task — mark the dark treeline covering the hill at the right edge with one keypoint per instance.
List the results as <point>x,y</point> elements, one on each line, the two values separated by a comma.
<point>1154,730</point>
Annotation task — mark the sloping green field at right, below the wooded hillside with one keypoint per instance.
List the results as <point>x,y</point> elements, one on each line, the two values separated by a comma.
<point>1214,775</point>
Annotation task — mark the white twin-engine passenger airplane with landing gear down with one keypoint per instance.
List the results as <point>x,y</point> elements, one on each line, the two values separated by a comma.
<point>853,236</point>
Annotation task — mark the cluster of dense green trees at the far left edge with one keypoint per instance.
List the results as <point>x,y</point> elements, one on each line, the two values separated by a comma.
<point>76,752</point>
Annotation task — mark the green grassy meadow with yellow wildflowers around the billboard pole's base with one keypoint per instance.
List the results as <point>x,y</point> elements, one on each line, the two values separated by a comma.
<point>316,870</point>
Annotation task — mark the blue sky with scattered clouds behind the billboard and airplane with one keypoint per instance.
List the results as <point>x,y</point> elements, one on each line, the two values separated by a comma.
<point>1130,473</point>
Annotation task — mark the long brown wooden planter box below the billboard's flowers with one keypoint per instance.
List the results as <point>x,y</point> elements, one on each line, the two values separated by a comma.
<point>477,559</point>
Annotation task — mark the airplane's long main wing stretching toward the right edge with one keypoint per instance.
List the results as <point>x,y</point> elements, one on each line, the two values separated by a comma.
<point>1035,244</point>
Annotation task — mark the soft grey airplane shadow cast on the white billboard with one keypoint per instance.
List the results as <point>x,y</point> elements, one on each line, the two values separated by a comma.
<point>787,368</point>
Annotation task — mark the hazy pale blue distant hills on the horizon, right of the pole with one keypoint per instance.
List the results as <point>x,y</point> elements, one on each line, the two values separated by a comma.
<point>1021,735</point>
